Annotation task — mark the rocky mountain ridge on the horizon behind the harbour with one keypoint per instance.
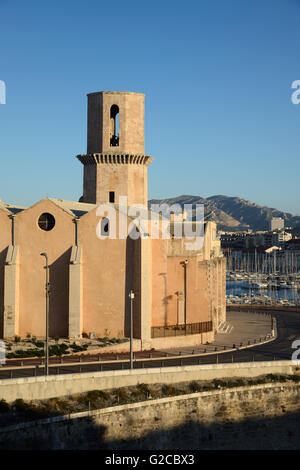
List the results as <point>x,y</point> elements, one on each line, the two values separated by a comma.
<point>234,213</point>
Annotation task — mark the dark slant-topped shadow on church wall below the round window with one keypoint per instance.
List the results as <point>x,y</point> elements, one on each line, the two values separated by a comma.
<point>59,295</point>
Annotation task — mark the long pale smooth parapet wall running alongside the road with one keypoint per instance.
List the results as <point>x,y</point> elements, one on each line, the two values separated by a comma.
<point>33,388</point>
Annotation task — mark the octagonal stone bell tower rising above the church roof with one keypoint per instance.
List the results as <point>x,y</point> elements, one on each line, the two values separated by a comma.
<point>115,164</point>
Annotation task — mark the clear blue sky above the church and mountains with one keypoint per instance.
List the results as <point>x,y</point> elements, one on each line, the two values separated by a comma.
<point>217,77</point>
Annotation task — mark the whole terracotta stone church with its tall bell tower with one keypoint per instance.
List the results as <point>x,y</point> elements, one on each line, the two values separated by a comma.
<point>179,293</point>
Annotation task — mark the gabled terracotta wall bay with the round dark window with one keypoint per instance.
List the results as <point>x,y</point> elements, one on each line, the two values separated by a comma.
<point>57,243</point>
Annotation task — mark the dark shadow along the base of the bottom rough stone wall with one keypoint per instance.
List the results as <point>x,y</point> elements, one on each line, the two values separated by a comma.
<point>276,433</point>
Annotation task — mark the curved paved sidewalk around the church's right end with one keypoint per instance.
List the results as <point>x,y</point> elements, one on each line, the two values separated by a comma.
<point>242,328</point>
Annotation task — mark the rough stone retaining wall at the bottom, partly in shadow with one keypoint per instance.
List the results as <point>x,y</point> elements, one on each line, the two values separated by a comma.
<point>253,417</point>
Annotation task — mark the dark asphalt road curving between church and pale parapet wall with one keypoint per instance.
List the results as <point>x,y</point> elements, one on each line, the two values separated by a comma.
<point>288,330</point>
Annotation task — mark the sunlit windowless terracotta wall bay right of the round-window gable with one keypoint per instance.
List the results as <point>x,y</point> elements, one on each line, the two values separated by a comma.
<point>107,278</point>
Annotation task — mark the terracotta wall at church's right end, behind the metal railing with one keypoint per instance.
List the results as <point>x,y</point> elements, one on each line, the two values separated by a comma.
<point>168,281</point>
